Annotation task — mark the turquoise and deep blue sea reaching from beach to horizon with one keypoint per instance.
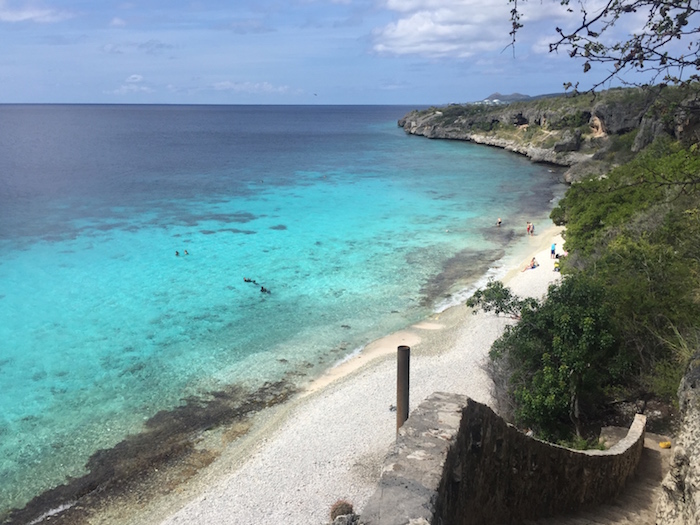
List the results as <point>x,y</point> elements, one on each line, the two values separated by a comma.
<point>154,256</point>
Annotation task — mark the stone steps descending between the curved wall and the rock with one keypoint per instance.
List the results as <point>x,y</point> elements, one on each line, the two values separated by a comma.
<point>637,504</point>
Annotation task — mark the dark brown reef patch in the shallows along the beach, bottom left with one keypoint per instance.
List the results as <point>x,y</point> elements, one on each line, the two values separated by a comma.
<point>153,462</point>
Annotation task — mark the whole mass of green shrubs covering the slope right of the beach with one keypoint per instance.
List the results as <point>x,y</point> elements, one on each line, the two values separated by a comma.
<point>623,321</point>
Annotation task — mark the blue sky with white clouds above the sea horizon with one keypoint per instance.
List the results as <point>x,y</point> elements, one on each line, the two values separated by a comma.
<point>278,51</point>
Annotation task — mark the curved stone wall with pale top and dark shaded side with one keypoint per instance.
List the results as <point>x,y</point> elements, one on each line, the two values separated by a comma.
<point>455,462</point>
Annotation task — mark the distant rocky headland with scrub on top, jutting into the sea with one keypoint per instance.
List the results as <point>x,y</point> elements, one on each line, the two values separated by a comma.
<point>582,132</point>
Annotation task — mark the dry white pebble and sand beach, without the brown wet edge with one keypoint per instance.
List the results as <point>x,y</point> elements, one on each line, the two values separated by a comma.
<point>330,441</point>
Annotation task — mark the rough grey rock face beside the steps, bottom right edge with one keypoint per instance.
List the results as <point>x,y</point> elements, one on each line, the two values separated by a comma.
<point>680,502</point>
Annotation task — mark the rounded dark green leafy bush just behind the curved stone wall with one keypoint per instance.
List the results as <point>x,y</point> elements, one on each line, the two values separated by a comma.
<point>560,352</point>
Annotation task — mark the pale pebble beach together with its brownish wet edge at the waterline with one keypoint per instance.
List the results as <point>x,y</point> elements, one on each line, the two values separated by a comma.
<point>352,399</point>
